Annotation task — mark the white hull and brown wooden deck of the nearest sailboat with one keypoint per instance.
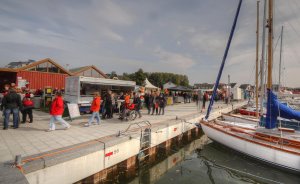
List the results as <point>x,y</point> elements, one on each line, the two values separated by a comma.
<point>255,144</point>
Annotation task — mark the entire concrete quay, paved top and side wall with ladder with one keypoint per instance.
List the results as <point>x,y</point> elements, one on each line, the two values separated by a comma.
<point>82,153</point>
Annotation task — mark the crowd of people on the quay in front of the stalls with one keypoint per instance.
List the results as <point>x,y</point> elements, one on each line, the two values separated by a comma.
<point>16,101</point>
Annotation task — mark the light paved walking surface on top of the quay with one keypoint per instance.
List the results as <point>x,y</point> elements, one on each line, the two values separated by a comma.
<point>32,139</point>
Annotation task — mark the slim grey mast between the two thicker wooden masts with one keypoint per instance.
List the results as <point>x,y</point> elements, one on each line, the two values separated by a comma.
<point>262,62</point>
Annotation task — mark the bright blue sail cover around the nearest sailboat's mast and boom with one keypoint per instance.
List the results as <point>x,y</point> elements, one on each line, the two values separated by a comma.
<point>276,108</point>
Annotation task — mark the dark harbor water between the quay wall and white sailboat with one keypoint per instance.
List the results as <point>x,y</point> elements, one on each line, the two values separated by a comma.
<point>204,161</point>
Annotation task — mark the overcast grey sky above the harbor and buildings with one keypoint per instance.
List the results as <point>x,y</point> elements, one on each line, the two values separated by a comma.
<point>179,36</point>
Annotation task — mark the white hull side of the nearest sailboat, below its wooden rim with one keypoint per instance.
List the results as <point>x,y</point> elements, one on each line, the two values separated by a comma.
<point>267,154</point>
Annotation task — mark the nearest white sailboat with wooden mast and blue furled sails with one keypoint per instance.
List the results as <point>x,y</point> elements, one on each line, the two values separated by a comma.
<point>276,146</point>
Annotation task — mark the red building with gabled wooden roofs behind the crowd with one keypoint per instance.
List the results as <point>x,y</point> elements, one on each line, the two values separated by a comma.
<point>43,73</point>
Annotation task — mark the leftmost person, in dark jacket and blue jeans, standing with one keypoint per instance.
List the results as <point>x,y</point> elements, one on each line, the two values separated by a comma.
<point>11,103</point>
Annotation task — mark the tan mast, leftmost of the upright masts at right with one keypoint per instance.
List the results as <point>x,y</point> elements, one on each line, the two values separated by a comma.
<point>256,65</point>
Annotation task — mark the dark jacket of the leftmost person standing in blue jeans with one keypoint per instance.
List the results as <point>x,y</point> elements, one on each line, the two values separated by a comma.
<point>12,100</point>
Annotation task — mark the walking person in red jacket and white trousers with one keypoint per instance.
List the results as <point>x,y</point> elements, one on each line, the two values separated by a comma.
<point>56,111</point>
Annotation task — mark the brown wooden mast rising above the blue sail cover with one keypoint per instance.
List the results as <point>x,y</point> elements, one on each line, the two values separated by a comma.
<point>270,45</point>
